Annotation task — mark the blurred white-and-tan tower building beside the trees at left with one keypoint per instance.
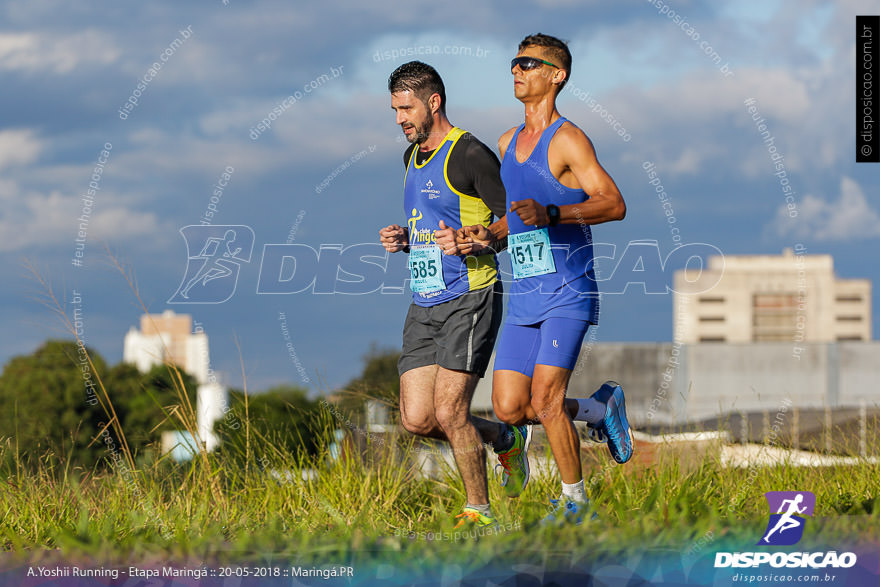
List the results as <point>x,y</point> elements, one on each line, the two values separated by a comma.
<point>169,338</point>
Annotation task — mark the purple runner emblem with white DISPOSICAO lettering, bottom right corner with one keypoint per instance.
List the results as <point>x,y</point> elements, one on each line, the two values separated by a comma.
<point>785,527</point>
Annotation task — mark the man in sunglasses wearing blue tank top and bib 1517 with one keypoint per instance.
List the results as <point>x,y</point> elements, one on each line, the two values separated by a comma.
<point>556,189</point>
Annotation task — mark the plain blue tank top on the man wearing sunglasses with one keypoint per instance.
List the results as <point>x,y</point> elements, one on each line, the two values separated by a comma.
<point>570,291</point>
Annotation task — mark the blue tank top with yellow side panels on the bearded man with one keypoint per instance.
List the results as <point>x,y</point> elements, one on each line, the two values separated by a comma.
<point>428,197</point>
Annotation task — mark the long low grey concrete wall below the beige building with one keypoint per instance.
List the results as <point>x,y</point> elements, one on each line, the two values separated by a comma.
<point>670,384</point>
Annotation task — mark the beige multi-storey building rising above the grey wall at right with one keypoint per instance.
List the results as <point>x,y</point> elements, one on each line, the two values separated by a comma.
<point>793,297</point>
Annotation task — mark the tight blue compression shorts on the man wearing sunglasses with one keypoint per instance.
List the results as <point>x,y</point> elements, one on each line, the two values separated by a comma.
<point>555,342</point>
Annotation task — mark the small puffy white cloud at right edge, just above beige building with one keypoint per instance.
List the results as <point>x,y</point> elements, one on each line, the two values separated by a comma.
<point>851,217</point>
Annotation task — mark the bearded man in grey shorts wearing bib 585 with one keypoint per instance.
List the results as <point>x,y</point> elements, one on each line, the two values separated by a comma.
<point>451,180</point>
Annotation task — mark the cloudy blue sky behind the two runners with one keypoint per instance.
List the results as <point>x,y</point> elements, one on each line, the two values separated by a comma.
<point>67,70</point>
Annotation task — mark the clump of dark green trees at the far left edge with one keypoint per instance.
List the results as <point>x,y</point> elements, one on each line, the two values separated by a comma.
<point>50,401</point>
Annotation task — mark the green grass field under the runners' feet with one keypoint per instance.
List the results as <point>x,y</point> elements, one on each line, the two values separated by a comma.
<point>218,511</point>
